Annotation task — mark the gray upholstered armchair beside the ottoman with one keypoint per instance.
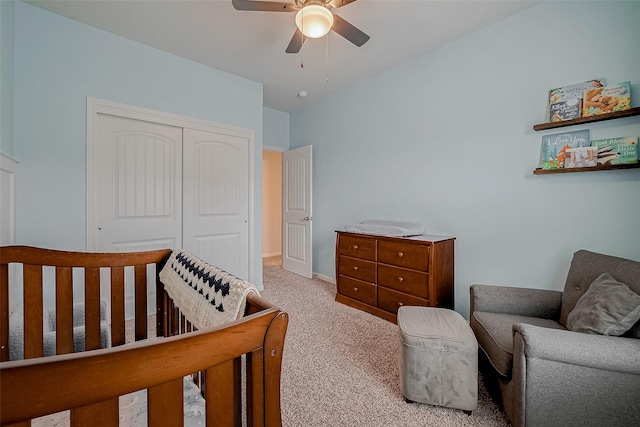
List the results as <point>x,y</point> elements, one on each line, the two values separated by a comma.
<point>547,375</point>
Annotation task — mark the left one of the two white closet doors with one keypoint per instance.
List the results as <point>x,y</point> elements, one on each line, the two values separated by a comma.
<point>137,185</point>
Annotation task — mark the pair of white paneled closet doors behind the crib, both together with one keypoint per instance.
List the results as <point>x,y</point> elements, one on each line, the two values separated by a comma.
<point>158,186</point>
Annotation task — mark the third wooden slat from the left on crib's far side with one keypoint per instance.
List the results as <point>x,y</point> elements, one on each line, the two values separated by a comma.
<point>64,310</point>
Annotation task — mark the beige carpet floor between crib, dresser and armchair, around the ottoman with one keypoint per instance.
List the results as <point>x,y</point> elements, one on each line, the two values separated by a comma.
<point>339,364</point>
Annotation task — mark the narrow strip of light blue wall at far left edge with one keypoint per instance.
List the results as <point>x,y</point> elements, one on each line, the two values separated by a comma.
<point>6,76</point>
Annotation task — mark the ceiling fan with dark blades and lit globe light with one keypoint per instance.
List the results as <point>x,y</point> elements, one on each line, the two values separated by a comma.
<point>314,19</point>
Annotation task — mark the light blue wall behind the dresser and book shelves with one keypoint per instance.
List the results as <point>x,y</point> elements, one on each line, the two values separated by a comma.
<point>446,140</point>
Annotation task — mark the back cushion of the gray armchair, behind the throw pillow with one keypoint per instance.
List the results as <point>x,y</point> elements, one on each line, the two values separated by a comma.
<point>586,267</point>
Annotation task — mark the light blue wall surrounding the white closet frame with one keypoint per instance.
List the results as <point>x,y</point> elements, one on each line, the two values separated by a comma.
<point>58,63</point>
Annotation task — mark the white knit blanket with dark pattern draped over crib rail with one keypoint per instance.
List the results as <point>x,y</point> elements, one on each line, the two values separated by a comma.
<point>206,295</point>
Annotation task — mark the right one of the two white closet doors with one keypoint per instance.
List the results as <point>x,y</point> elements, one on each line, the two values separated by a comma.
<point>216,199</point>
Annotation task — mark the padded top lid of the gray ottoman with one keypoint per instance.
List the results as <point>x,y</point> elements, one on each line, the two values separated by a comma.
<point>419,324</point>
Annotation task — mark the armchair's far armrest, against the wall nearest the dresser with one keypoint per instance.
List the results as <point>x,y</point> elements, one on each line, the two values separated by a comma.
<point>521,301</point>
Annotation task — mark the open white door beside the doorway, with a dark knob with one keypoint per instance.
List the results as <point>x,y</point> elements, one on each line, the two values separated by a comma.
<point>297,218</point>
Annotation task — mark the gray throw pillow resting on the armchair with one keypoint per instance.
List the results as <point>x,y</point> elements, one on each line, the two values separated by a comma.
<point>607,308</point>
